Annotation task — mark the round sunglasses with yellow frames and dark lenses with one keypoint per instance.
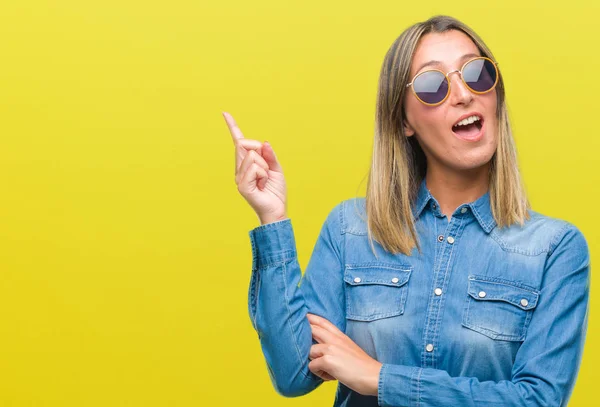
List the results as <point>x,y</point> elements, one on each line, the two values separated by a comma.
<point>432,87</point>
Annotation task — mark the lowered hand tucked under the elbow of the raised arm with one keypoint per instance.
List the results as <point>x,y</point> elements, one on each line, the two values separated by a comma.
<point>339,357</point>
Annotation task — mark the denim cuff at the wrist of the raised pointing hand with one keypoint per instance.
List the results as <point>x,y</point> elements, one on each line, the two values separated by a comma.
<point>272,243</point>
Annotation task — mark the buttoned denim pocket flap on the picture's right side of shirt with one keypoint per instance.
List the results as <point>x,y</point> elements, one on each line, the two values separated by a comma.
<point>494,289</point>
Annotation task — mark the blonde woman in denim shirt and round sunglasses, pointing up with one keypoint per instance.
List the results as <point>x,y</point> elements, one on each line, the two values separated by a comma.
<point>441,287</point>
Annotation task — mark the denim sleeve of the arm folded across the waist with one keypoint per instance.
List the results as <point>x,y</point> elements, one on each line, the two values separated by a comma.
<point>546,364</point>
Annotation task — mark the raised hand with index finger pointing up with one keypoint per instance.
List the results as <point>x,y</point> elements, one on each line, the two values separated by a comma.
<point>258,175</point>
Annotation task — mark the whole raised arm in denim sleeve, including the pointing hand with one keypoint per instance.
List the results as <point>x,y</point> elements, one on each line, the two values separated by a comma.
<point>277,305</point>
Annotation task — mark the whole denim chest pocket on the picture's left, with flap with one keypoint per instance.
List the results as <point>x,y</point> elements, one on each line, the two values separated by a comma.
<point>375,290</point>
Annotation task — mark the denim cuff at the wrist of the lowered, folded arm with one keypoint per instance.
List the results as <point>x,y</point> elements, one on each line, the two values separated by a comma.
<point>398,385</point>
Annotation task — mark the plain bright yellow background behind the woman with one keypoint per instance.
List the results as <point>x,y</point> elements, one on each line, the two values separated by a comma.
<point>124,248</point>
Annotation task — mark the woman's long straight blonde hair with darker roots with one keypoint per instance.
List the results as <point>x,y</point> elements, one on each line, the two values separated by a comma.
<point>398,163</point>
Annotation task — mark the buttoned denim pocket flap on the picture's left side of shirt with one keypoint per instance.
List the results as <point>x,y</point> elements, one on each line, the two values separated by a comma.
<point>377,273</point>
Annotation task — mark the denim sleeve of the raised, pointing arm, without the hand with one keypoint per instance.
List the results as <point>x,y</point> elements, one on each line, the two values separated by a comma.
<point>279,298</point>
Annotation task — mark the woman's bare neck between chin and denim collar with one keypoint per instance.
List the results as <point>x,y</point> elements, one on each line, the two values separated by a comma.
<point>452,189</point>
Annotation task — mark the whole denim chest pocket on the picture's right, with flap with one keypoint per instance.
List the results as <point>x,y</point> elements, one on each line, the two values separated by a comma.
<point>499,309</point>
